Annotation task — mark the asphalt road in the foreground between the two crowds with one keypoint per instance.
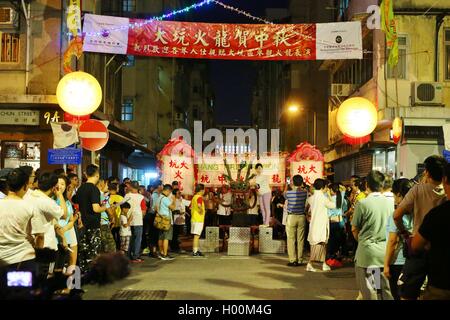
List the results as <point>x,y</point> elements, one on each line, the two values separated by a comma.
<point>223,277</point>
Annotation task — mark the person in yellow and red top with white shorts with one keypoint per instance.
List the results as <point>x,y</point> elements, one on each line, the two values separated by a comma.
<point>197,218</point>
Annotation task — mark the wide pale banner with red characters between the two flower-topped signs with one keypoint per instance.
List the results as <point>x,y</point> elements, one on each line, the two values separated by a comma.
<point>211,172</point>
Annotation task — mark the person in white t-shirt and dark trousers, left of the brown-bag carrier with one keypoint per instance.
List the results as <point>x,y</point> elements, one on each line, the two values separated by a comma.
<point>138,210</point>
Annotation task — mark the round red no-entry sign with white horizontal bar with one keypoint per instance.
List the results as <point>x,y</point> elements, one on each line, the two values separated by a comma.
<point>94,135</point>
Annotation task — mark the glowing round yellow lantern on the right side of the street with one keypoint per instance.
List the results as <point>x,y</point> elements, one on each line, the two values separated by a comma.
<point>357,117</point>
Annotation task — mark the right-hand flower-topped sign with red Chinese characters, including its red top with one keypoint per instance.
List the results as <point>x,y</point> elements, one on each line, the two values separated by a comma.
<point>308,162</point>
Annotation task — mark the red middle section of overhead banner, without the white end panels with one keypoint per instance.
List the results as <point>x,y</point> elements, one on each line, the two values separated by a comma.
<point>223,41</point>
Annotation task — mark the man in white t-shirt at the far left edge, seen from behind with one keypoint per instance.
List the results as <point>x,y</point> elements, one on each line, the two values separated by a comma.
<point>21,228</point>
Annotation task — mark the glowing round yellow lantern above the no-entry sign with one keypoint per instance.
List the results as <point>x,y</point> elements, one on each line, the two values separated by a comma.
<point>79,93</point>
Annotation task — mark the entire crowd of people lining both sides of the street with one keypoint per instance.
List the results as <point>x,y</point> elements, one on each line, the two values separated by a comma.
<point>394,231</point>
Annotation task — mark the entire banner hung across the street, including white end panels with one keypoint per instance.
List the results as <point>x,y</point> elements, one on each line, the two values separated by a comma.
<point>118,35</point>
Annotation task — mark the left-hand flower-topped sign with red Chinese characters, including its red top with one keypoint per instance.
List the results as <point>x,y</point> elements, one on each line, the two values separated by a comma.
<point>176,163</point>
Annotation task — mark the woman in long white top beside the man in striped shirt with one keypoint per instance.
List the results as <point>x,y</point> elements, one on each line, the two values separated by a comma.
<point>319,228</point>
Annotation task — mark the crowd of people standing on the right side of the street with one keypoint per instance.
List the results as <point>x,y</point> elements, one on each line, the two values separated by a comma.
<point>394,231</point>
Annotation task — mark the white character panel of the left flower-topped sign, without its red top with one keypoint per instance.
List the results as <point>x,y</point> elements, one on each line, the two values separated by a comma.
<point>181,169</point>
